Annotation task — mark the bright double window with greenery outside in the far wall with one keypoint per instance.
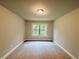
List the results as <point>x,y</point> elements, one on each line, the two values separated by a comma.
<point>39,29</point>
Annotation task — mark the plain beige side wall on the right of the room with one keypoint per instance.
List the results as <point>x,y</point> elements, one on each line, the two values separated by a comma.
<point>66,32</point>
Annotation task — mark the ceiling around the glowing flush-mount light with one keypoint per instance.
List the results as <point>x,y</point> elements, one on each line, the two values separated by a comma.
<point>53,8</point>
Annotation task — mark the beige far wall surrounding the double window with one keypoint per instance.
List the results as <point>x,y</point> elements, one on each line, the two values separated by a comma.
<point>28,34</point>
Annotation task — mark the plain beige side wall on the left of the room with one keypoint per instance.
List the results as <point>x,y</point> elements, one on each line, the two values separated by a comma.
<point>11,30</point>
